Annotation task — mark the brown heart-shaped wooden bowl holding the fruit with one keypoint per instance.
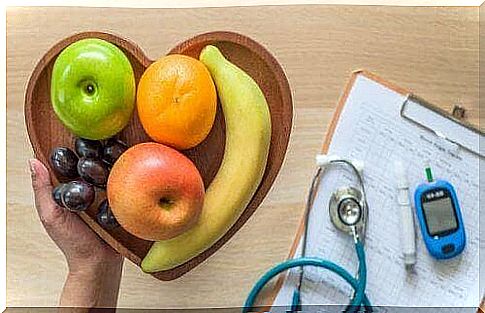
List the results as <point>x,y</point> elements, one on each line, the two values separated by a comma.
<point>46,132</point>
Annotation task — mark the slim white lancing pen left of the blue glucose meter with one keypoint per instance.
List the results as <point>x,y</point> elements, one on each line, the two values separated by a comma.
<point>408,234</point>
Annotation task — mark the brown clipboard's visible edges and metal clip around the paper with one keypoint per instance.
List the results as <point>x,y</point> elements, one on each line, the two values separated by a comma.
<point>410,98</point>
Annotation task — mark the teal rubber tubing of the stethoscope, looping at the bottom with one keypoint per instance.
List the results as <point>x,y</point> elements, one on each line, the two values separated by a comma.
<point>359,299</point>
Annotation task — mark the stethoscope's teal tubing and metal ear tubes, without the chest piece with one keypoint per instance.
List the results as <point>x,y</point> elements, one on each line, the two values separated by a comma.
<point>359,299</point>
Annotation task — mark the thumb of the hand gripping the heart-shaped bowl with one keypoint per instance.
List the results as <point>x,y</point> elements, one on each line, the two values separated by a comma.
<point>48,210</point>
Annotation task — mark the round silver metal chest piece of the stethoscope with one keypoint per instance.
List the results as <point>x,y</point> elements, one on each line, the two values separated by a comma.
<point>348,211</point>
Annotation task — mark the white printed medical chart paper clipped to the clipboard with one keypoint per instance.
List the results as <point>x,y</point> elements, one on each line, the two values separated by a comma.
<point>371,129</point>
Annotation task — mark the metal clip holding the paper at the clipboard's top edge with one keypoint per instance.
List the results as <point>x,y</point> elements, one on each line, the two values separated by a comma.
<point>456,117</point>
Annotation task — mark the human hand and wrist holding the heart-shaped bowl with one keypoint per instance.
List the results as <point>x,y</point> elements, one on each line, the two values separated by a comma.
<point>94,267</point>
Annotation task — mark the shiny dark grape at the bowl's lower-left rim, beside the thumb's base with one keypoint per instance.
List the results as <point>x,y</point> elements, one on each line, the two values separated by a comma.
<point>77,196</point>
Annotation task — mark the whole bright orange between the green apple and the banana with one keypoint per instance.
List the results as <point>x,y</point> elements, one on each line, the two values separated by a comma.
<point>177,101</point>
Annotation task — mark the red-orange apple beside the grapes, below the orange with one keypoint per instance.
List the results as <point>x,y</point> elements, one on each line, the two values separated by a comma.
<point>155,192</point>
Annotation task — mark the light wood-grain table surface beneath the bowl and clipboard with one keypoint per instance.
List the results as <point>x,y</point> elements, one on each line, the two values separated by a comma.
<point>432,51</point>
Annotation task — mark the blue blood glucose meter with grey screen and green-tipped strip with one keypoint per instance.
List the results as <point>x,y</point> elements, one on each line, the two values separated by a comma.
<point>439,217</point>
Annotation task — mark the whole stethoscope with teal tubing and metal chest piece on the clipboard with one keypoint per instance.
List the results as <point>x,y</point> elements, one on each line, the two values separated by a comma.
<point>348,210</point>
